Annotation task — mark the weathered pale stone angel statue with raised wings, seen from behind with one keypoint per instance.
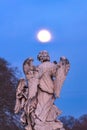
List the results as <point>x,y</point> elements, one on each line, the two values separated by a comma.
<point>43,85</point>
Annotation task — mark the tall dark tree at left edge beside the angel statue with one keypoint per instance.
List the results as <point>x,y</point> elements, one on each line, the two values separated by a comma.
<point>8,83</point>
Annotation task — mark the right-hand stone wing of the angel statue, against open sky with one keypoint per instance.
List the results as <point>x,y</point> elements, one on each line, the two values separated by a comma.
<point>63,68</point>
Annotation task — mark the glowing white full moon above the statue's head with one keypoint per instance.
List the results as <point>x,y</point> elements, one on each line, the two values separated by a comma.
<point>44,36</point>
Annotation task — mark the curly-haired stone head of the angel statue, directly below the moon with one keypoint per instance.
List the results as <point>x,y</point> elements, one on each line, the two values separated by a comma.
<point>43,56</point>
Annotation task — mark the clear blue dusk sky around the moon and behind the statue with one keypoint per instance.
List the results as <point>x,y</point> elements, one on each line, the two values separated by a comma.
<point>67,20</point>
